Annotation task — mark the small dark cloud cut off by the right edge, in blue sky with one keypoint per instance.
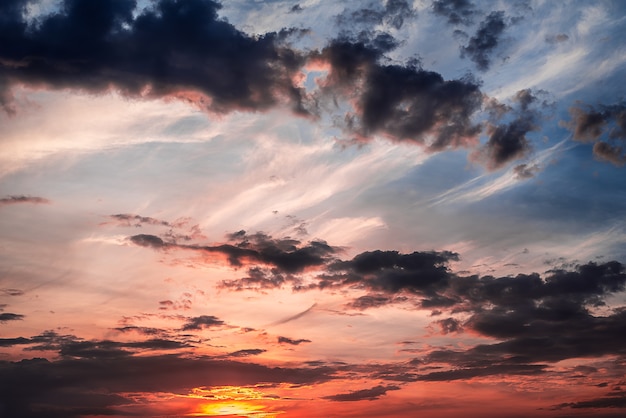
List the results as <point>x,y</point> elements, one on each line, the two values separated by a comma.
<point>605,126</point>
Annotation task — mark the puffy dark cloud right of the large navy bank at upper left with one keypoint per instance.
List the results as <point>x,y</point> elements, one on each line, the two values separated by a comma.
<point>401,102</point>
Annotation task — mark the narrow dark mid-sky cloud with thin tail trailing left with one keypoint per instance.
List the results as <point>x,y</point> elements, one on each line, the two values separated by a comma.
<point>287,255</point>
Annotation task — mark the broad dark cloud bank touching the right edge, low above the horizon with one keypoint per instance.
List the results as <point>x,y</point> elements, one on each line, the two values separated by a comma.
<point>536,319</point>
